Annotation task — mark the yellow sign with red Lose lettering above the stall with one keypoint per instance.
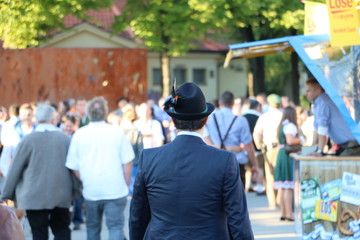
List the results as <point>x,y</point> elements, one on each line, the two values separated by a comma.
<point>344,22</point>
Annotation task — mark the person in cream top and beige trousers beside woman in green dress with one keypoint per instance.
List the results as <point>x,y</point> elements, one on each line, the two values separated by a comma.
<point>266,138</point>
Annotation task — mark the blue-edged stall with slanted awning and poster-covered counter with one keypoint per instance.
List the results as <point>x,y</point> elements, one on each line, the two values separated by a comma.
<point>327,191</point>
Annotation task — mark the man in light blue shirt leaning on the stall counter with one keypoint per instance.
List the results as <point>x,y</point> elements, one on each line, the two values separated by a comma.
<point>329,122</point>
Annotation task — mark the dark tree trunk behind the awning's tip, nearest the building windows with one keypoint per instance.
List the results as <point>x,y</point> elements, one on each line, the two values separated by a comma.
<point>257,65</point>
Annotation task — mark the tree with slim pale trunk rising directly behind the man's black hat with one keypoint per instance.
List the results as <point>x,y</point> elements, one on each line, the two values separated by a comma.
<point>164,26</point>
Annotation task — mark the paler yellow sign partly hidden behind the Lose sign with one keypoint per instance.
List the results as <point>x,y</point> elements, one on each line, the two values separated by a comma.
<point>316,18</point>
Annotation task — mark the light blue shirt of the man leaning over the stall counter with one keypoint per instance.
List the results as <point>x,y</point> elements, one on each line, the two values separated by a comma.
<point>329,122</point>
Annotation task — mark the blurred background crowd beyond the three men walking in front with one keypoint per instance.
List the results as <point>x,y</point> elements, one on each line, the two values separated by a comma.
<point>146,125</point>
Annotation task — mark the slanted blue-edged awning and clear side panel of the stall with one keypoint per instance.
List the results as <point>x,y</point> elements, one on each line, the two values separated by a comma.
<point>337,69</point>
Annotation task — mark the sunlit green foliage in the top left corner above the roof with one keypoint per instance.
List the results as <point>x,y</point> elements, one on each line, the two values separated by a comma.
<point>24,23</point>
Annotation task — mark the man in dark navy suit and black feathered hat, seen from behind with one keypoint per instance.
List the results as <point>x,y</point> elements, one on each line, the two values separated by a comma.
<point>187,189</point>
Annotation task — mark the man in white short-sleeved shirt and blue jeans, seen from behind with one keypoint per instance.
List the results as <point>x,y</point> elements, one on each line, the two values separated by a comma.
<point>101,156</point>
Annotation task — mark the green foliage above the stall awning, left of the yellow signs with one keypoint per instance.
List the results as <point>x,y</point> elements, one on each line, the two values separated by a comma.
<point>267,18</point>
